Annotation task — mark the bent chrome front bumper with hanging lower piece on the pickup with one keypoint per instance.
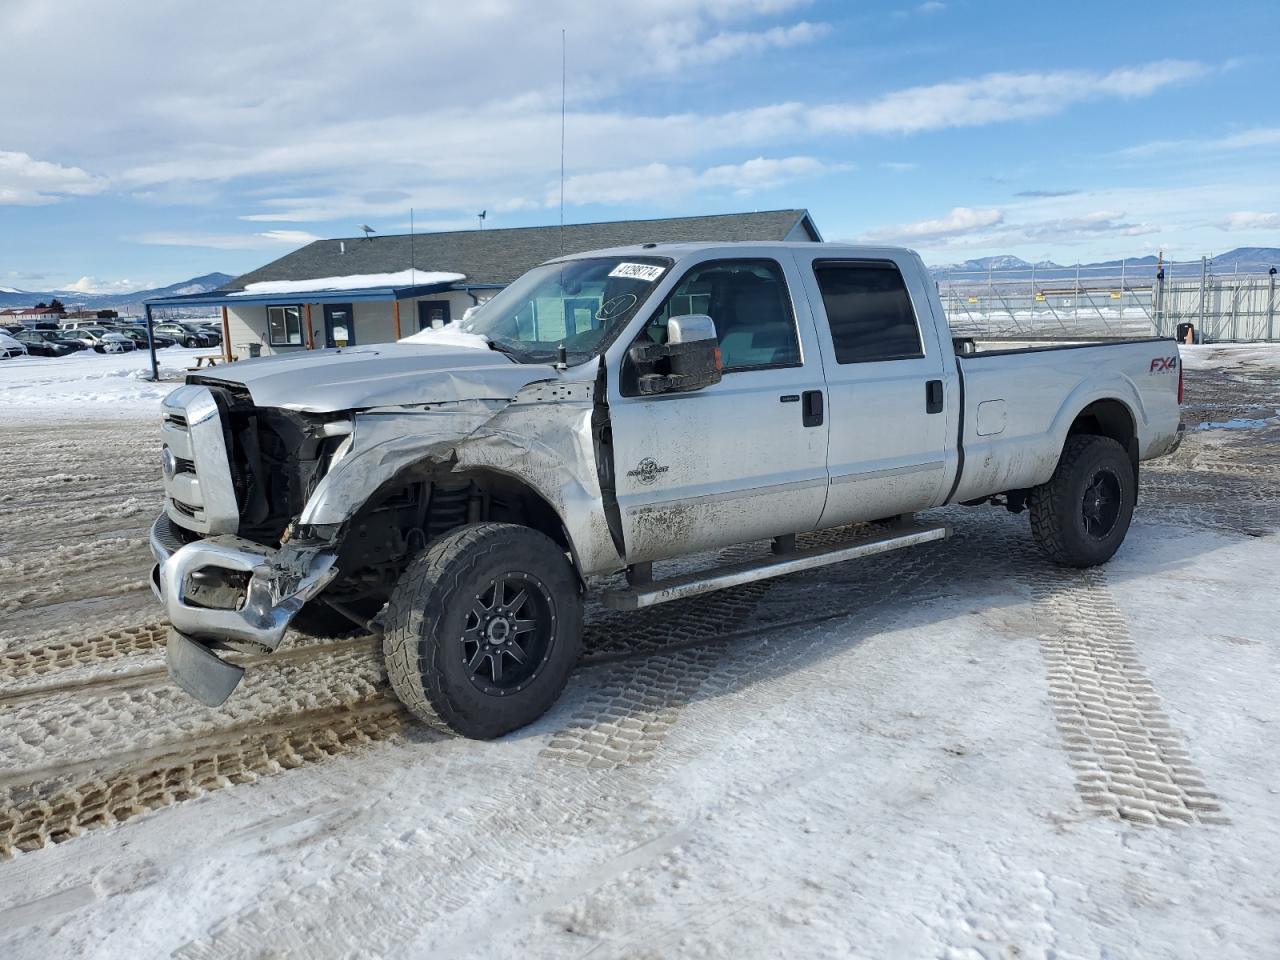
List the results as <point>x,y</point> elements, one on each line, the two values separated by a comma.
<point>277,584</point>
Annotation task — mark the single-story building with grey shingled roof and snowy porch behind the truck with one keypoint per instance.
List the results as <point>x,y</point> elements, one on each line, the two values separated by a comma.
<point>353,291</point>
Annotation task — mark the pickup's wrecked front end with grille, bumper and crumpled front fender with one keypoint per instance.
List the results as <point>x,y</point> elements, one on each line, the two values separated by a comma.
<point>267,509</point>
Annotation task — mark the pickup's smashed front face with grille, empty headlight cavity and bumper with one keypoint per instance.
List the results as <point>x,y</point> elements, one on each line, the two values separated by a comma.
<point>226,572</point>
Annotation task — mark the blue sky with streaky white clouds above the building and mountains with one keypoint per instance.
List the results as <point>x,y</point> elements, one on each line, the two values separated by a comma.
<point>147,144</point>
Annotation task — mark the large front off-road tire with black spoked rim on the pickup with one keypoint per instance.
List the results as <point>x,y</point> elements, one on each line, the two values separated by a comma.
<point>484,629</point>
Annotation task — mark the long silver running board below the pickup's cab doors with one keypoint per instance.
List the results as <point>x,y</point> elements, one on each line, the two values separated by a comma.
<point>636,598</point>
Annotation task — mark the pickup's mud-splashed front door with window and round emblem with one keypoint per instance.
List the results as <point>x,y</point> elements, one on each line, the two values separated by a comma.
<point>740,460</point>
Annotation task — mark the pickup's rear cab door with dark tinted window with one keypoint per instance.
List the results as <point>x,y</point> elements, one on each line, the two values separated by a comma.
<point>886,385</point>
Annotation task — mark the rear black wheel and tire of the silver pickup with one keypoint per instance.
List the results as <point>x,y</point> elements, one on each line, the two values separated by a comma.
<point>1081,516</point>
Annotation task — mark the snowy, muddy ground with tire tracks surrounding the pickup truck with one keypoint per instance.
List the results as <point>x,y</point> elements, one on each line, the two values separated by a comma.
<point>954,752</point>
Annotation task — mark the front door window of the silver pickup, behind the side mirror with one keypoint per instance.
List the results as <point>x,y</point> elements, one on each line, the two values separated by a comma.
<point>748,301</point>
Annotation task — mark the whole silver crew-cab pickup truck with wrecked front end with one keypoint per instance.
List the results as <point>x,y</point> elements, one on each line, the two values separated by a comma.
<point>460,492</point>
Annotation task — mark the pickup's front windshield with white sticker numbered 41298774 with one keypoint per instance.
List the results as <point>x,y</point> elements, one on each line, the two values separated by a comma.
<point>578,304</point>
